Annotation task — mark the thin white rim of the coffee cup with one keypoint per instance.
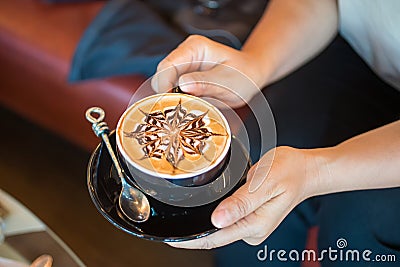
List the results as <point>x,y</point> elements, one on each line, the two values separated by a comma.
<point>133,164</point>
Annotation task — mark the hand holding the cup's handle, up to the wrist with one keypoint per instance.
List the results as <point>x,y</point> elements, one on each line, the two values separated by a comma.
<point>206,68</point>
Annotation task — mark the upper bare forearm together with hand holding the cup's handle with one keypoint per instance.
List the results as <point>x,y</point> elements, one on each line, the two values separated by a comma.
<point>289,33</point>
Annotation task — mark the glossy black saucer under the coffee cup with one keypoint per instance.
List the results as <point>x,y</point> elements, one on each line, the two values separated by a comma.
<point>167,222</point>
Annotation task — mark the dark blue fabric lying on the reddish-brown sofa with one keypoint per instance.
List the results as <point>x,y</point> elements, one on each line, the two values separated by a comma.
<point>126,37</point>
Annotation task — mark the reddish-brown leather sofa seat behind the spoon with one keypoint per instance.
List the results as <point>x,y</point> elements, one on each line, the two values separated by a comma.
<point>37,42</point>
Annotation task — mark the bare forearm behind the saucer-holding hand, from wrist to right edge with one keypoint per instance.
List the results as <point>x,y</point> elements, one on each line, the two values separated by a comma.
<point>367,161</point>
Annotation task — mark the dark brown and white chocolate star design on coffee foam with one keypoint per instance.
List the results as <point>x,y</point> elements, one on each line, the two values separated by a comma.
<point>172,133</point>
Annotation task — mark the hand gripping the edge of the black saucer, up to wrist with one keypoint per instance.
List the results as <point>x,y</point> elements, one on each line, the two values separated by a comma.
<point>276,184</point>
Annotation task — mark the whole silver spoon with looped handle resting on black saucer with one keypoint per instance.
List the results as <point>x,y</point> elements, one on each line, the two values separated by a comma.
<point>132,202</point>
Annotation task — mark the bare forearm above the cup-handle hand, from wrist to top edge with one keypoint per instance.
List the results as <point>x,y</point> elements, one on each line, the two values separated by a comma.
<point>289,34</point>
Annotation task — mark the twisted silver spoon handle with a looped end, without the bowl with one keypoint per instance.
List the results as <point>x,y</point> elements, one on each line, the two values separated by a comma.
<point>95,115</point>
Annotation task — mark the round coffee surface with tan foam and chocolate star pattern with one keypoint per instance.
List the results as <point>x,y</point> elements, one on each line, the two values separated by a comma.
<point>173,134</point>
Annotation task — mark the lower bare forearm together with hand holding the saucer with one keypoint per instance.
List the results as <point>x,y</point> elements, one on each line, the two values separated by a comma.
<point>368,161</point>
